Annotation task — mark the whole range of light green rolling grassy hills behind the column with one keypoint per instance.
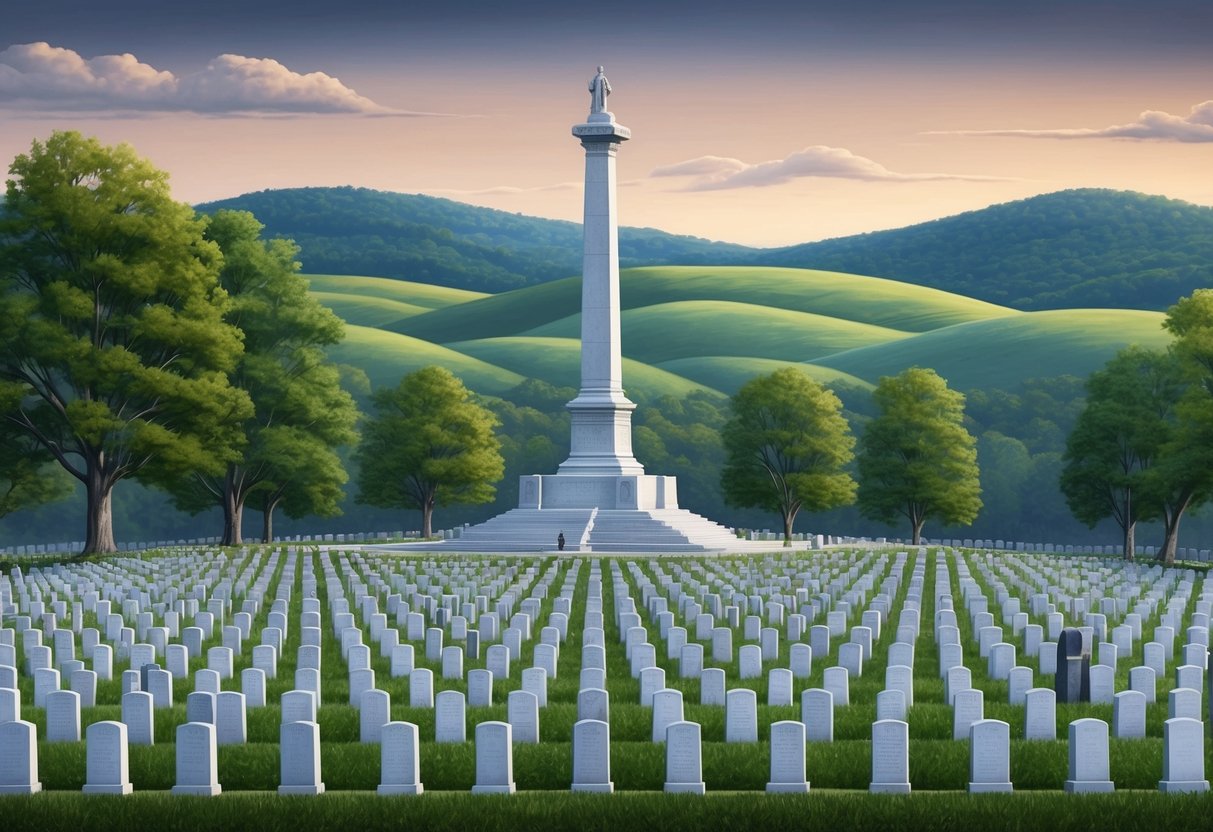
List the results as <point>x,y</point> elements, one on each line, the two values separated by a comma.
<point>688,329</point>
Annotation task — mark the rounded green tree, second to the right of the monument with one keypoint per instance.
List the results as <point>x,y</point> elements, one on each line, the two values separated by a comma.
<point>916,459</point>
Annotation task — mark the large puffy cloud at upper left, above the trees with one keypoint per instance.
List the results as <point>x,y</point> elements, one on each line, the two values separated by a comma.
<point>49,78</point>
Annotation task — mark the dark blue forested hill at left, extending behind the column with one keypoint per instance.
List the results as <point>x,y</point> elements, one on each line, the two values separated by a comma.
<point>426,240</point>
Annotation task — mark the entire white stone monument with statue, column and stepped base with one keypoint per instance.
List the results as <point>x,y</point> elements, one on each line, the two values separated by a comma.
<point>600,499</point>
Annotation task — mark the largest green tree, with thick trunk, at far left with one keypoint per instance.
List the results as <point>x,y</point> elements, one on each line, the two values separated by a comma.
<point>112,335</point>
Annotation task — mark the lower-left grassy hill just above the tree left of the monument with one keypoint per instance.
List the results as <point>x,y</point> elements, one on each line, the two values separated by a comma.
<point>388,357</point>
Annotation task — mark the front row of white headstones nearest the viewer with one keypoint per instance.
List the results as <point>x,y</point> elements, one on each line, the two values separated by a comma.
<point>107,768</point>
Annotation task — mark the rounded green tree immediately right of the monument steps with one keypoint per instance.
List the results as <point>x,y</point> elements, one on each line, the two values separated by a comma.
<point>787,448</point>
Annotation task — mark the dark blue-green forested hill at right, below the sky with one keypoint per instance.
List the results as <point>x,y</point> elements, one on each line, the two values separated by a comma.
<point>1069,249</point>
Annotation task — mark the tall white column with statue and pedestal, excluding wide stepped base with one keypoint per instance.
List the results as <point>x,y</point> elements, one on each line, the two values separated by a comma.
<point>601,415</point>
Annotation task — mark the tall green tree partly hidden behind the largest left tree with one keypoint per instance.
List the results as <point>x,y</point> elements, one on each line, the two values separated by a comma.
<point>300,411</point>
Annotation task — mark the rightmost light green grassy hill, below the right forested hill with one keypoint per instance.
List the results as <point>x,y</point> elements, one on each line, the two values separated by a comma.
<point>1005,352</point>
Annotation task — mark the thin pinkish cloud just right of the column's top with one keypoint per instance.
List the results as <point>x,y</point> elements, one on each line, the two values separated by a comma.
<point>721,173</point>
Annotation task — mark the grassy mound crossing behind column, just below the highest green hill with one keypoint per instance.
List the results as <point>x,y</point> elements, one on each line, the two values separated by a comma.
<point>690,329</point>
